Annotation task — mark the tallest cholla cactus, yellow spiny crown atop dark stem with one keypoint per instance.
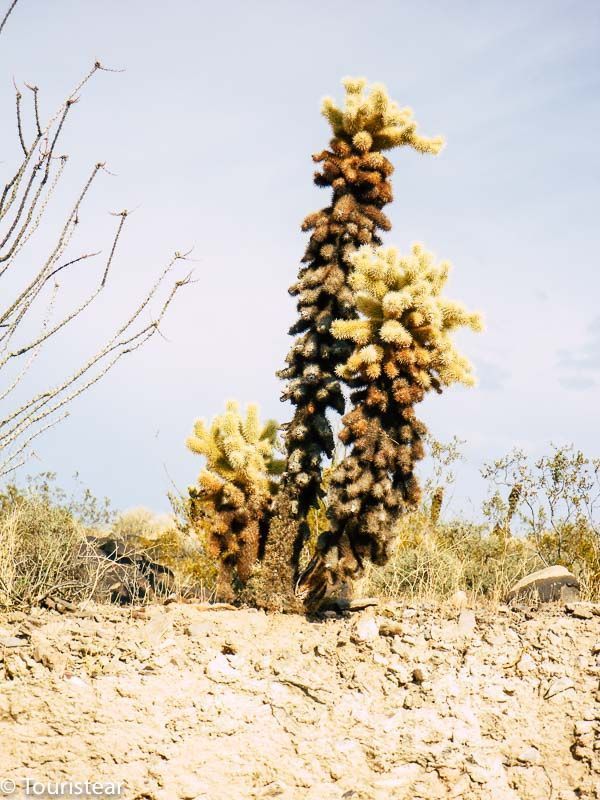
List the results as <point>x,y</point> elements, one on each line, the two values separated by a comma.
<point>358,173</point>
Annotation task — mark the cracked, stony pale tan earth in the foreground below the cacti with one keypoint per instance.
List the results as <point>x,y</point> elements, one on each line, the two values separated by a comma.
<point>184,702</point>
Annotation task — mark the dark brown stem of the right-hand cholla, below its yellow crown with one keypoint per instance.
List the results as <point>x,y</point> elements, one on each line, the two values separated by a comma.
<point>371,488</point>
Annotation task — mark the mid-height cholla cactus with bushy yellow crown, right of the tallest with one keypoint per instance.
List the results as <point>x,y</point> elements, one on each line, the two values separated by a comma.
<point>402,348</point>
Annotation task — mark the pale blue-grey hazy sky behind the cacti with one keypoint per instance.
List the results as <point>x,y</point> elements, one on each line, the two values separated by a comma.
<point>209,132</point>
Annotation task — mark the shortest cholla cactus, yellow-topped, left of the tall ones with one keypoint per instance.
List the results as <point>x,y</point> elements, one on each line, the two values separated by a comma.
<point>233,495</point>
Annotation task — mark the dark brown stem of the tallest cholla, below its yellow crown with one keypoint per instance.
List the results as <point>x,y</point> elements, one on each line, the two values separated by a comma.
<point>360,189</point>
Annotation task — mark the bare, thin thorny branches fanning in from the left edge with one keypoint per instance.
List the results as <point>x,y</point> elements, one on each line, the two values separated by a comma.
<point>33,284</point>
